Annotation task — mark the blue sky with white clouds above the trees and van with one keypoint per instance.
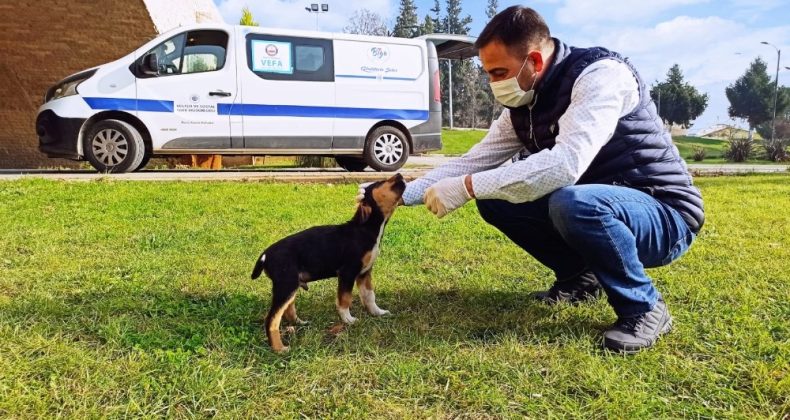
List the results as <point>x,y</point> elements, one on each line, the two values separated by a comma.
<point>713,41</point>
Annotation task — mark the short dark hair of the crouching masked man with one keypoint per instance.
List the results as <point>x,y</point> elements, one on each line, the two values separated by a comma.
<point>518,27</point>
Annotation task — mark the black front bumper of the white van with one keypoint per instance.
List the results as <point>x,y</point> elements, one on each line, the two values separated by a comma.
<point>58,136</point>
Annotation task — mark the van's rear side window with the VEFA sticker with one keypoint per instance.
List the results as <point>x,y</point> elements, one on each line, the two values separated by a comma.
<point>290,58</point>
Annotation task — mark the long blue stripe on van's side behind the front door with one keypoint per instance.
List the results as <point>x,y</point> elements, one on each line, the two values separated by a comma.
<point>320,112</point>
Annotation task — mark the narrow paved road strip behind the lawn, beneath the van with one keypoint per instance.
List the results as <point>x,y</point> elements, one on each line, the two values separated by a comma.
<point>416,166</point>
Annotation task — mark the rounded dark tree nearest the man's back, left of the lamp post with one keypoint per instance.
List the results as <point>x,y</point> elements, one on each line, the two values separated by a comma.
<point>679,102</point>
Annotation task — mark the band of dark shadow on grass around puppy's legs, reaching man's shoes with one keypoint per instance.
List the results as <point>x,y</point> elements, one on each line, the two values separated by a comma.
<point>150,320</point>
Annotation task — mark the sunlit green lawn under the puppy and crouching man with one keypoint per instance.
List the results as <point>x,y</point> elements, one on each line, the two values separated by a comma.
<point>128,299</point>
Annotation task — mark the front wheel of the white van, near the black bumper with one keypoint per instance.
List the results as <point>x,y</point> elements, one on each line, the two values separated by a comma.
<point>114,146</point>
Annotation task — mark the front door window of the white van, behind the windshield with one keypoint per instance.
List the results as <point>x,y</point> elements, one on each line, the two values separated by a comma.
<point>192,52</point>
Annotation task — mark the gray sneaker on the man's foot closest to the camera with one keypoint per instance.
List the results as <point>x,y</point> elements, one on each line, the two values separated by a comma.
<point>630,335</point>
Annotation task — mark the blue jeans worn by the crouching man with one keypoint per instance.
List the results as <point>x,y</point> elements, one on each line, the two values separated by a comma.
<point>615,232</point>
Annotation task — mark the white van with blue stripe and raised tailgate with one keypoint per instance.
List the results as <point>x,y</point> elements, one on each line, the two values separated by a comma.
<point>239,90</point>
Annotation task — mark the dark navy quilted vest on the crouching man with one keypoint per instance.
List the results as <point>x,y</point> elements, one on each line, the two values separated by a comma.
<point>640,155</point>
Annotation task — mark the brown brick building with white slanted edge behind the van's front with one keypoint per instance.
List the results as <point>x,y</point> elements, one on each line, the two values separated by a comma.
<point>47,40</point>
